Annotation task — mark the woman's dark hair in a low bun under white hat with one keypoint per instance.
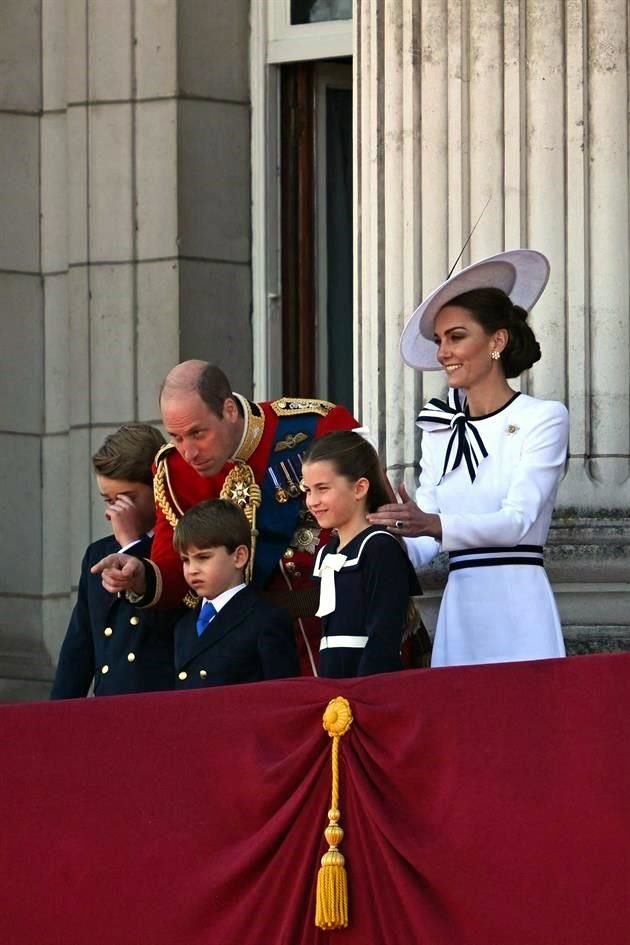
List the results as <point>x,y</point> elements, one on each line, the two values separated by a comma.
<point>493,309</point>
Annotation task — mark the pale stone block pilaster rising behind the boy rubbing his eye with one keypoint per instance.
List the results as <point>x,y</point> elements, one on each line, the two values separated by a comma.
<point>122,220</point>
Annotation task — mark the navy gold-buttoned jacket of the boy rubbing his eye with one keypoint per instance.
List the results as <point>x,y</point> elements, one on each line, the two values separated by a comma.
<point>108,640</point>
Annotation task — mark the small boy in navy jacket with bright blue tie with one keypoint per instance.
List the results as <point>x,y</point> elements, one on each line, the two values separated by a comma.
<point>233,636</point>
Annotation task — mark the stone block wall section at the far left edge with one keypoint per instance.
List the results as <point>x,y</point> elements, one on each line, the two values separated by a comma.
<point>33,354</point>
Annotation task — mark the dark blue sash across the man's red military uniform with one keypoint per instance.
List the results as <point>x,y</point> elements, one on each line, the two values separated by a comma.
<point>276,521</point>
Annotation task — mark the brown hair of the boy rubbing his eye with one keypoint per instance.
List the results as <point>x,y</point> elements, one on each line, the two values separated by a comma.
<point>129,453</point>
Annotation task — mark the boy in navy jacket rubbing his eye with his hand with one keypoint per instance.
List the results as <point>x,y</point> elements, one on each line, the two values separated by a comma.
<point>109,641</point>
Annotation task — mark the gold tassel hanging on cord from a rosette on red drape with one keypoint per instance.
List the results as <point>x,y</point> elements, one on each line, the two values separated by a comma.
<point>331,908</point>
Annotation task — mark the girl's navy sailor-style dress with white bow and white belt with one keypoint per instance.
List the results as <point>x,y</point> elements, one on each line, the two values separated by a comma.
<point>364,598</point>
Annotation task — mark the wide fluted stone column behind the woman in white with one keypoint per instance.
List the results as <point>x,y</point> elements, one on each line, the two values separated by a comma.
<point>521,106</point>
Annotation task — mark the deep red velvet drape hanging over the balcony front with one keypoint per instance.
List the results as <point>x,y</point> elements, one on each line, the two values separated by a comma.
<point>482,806</point>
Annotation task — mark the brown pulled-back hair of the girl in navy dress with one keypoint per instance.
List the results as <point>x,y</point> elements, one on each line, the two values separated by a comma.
<point>354,458</point>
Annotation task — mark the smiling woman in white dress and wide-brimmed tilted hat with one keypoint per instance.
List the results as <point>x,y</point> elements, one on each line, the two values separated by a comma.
<point>491,462</point>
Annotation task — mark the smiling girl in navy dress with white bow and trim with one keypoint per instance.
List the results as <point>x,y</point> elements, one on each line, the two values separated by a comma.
<point>366,577</point>
